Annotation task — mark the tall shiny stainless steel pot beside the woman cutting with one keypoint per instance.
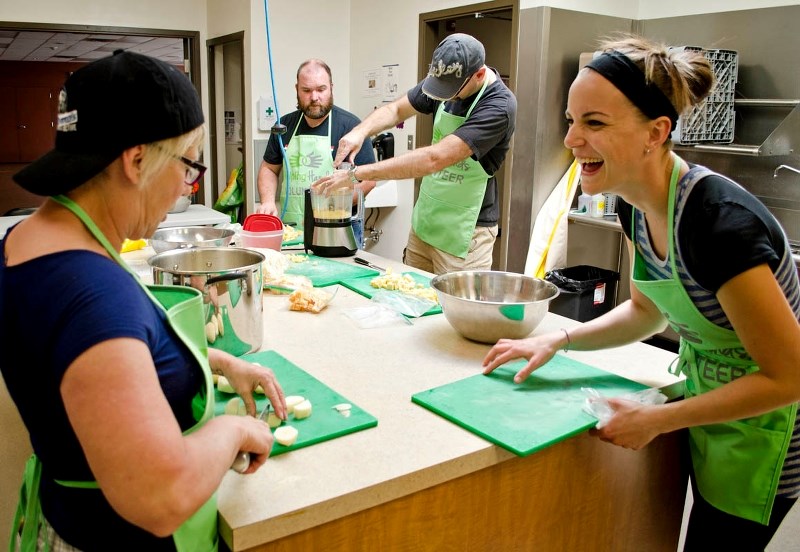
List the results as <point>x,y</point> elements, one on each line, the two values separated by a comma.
<point>231,282</point>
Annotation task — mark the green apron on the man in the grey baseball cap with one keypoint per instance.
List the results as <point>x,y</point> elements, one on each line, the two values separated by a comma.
<point>450,200</point>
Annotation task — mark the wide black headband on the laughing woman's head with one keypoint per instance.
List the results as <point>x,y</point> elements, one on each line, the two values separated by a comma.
<point>626,76</point>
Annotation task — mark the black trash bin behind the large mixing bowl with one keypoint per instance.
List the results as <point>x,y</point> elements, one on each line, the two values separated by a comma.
<point>585,292</point>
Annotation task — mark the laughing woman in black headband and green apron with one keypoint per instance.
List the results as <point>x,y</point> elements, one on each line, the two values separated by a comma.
<point>711,262</point>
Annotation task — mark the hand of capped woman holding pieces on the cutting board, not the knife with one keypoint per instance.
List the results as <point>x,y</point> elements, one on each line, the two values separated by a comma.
<point>245,377</point>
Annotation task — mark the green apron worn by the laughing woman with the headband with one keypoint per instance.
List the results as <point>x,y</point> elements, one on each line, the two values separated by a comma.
<point>737,464</point>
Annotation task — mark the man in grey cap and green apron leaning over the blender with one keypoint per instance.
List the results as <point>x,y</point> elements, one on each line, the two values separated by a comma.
<point>454,223</point>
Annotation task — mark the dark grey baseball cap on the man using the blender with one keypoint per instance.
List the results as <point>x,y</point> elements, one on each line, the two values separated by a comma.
<point>455,60</point>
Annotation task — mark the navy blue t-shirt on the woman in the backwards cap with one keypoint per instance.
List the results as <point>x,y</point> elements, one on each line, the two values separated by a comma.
<point>53,309</point>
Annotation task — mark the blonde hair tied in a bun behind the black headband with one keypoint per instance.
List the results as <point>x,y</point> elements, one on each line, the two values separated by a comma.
<point>684,76</point>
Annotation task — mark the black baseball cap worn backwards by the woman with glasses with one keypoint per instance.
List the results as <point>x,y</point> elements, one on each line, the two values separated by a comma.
<point>106,107</point>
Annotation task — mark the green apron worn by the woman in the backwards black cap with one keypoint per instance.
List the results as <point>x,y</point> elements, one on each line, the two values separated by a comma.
<point>183,307</point>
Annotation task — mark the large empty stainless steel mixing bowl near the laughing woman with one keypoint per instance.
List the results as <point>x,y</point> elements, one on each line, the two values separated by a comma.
<point>486,305</point>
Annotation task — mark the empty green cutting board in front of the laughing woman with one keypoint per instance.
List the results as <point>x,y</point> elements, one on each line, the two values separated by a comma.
<point>523,418</point>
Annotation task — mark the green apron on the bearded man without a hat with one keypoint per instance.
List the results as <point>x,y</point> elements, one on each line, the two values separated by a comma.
<point>309,160</point>
